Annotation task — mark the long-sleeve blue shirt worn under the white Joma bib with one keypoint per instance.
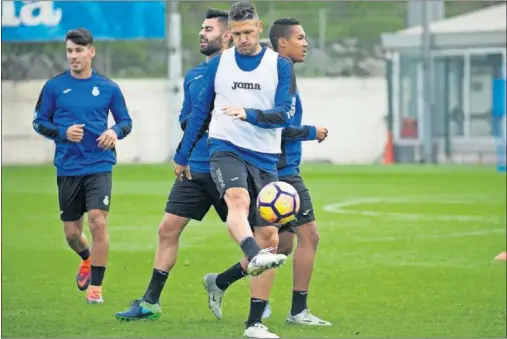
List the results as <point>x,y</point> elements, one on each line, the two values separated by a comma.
<point>277,117</point>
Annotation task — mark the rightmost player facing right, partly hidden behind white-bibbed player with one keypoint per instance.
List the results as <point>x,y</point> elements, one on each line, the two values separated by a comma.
<point>288,39</point>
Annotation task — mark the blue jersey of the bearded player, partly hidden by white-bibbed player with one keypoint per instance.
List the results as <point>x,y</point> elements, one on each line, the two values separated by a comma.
<point>192,85</point>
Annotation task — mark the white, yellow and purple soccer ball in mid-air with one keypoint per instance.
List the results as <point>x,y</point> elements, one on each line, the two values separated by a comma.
<point>278,203</point>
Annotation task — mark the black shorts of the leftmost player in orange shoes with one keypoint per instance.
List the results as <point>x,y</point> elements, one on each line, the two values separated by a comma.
<point>80,194</point>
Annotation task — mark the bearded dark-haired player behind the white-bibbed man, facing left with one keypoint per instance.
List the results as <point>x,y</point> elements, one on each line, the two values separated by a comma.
<point>188,199</point>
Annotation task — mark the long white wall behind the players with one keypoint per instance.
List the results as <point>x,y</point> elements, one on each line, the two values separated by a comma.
<point>352,109</point>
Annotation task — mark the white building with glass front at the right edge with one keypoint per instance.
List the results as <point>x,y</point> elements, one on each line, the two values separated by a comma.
<point>468,53</point>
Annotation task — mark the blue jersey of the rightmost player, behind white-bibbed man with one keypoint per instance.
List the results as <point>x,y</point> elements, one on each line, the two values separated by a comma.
<point>291,142</point>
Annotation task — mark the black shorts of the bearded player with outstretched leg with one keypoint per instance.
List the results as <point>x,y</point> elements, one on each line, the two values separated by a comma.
<point>193,198</point>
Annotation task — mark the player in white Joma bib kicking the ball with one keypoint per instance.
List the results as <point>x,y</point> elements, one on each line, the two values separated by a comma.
<point>252,90</point>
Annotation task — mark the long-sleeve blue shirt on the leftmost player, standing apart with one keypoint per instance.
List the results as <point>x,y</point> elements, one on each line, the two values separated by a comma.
<point>65,101</point>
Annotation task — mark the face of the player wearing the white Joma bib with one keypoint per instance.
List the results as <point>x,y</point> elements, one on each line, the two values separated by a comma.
<point>245,35</point>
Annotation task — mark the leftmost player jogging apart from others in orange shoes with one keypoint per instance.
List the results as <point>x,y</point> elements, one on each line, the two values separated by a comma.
<point>72,110</point>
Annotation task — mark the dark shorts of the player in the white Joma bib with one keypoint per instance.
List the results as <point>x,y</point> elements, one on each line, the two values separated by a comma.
<point>229,171</point>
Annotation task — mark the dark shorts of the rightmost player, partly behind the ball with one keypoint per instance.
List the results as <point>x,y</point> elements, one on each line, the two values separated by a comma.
<point>306,213</point>
